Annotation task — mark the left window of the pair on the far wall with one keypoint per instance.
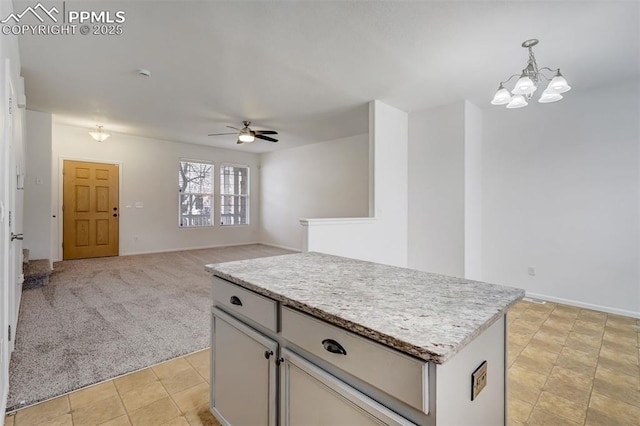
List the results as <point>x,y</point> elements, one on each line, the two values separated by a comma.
<point>196,194</point>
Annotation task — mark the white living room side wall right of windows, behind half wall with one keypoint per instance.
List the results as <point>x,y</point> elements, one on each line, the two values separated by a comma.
<point>328,179</point>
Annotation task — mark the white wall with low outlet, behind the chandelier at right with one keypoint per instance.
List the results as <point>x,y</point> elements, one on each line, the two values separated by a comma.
<point>561,189</point>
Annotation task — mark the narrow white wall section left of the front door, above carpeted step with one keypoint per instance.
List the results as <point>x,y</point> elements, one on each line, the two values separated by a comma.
<point>37,186</point>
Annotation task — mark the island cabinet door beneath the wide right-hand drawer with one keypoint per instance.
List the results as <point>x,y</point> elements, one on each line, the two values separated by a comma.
<point>311,396</point>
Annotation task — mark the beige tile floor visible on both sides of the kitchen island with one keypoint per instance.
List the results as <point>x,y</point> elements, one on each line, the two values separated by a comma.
<point>567,366</point>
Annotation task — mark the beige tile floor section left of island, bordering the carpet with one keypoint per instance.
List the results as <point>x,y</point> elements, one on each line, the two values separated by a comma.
<point>173,393</point>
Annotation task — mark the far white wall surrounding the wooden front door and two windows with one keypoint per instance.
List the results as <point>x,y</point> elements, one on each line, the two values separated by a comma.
<point>149,175</point>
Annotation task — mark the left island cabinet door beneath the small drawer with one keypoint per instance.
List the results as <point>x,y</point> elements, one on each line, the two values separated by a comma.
<point>243,373</point>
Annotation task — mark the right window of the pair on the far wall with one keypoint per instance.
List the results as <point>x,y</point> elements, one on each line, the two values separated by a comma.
<point>234,192</point>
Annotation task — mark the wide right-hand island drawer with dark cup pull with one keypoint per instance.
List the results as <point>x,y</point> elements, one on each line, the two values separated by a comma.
<point>388,370</point>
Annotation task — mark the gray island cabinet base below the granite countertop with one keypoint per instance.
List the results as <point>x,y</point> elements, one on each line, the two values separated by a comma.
<point>275,365</point>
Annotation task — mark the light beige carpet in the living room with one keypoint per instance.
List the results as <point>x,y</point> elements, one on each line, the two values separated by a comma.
<point>101,318</point>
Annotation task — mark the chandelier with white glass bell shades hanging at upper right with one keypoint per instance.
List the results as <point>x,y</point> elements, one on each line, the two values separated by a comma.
<point>528,82</point>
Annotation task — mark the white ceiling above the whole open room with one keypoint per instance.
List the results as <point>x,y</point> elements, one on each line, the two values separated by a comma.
<point>307,69</point>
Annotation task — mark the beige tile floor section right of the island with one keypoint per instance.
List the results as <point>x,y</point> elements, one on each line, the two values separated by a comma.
<point>572,366</point>
